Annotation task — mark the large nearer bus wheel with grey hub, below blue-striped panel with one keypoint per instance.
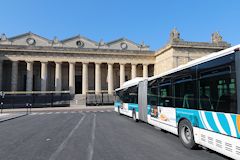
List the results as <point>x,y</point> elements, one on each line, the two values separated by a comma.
<point>186,136</point>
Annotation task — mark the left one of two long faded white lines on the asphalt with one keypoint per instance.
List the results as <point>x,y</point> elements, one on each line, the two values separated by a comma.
<point>63,144</point>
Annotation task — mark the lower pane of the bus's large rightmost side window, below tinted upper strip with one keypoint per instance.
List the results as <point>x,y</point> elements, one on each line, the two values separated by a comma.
<point>218,93</point>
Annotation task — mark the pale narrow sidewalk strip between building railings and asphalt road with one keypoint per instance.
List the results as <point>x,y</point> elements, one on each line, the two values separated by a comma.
<point>52,109</point>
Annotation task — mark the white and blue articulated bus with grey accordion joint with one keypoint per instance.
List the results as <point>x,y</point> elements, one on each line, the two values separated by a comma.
<point>198,101</point>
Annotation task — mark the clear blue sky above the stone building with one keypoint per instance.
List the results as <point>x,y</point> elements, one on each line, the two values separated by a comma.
<point>138,20</point>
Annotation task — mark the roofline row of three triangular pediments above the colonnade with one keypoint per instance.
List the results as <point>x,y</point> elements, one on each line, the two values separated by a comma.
<point>73,42</point>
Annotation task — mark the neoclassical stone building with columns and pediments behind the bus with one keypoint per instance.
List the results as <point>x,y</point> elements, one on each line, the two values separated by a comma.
<point>29,62</point>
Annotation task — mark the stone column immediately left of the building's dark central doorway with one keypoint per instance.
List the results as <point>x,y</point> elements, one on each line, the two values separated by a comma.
<point>71,81</point>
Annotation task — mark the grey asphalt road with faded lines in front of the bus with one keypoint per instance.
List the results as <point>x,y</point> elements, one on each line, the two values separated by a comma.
<point>92,135</point>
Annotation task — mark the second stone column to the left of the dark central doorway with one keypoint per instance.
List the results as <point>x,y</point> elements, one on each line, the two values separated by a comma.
<point>58,76</point>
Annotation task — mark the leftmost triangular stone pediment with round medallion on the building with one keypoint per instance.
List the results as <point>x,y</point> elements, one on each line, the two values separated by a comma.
<point>29,39</point>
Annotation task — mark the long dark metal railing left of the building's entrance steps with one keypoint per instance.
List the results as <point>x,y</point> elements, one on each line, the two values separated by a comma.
<point>34,99</point>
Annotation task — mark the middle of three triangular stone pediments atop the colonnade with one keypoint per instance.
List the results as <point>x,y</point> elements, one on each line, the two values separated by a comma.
<point>79,42</point>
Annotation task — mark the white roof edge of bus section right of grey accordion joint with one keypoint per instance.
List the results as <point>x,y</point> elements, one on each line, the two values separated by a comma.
<point>203,59</point>
